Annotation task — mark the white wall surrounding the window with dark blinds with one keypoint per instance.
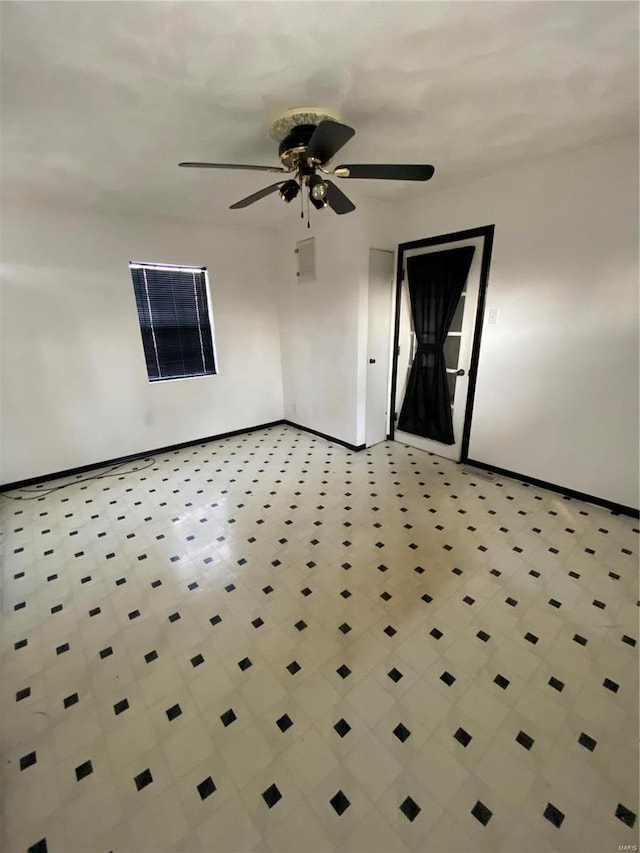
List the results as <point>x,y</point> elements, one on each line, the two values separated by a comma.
<point>74,383</point>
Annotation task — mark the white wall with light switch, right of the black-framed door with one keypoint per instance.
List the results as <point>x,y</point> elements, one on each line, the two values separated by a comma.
<point>557,388</point>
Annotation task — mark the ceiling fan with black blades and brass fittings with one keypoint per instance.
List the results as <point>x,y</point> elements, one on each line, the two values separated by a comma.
<point>308,139</point>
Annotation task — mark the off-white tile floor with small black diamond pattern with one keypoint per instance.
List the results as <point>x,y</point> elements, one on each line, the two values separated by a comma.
<point>269,643</point>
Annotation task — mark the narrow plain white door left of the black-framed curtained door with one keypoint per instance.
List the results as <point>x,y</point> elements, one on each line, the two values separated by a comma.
<point>378,344</point>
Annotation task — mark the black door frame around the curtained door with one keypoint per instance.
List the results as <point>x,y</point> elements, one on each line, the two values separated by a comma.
<point>486,233</point>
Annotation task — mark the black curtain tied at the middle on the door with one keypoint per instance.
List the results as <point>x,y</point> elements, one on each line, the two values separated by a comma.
<point>436,281</point>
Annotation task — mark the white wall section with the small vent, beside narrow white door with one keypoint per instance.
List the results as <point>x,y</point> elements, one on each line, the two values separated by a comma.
<point>324,323</point>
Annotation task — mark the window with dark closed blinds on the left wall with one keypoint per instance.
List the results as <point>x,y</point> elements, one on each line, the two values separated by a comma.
<point>173,311</point>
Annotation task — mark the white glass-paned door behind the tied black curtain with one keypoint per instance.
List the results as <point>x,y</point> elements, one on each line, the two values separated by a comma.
<point>457,349</point>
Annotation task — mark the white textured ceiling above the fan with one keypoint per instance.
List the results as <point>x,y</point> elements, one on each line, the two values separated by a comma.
<point>101,100</point>
